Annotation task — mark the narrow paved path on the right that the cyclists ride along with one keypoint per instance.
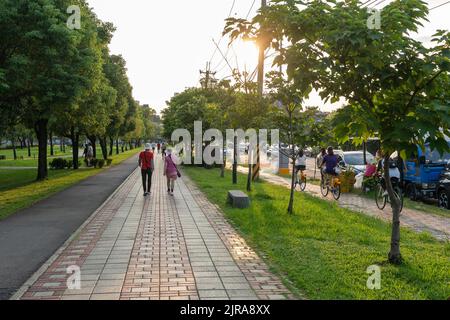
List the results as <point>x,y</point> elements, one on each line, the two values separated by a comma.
<point>437,226</point>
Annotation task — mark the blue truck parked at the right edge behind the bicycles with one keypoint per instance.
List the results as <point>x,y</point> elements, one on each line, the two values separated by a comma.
<point>425,173</point>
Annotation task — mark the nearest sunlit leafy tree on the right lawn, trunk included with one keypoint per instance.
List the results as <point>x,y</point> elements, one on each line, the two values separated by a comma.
<point>395,87</point>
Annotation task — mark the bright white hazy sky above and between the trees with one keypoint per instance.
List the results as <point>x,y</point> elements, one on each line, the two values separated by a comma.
<point>166,43</point>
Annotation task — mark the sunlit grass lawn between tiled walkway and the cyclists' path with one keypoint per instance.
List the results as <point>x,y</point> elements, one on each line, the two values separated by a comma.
<point>324,250</point>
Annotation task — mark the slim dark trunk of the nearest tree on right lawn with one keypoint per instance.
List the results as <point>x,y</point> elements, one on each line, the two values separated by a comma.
<point>395,256</point>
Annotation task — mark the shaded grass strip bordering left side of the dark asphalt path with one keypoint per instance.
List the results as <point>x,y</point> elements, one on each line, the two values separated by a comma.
<point>18,189</point>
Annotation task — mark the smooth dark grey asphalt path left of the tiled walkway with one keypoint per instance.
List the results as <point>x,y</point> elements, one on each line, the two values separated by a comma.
<point>31,236</point>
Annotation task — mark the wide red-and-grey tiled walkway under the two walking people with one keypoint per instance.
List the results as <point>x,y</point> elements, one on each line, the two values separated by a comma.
<point>159,247</point>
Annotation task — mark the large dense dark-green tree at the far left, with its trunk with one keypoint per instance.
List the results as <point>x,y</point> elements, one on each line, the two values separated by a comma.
<point>46,67</point>
